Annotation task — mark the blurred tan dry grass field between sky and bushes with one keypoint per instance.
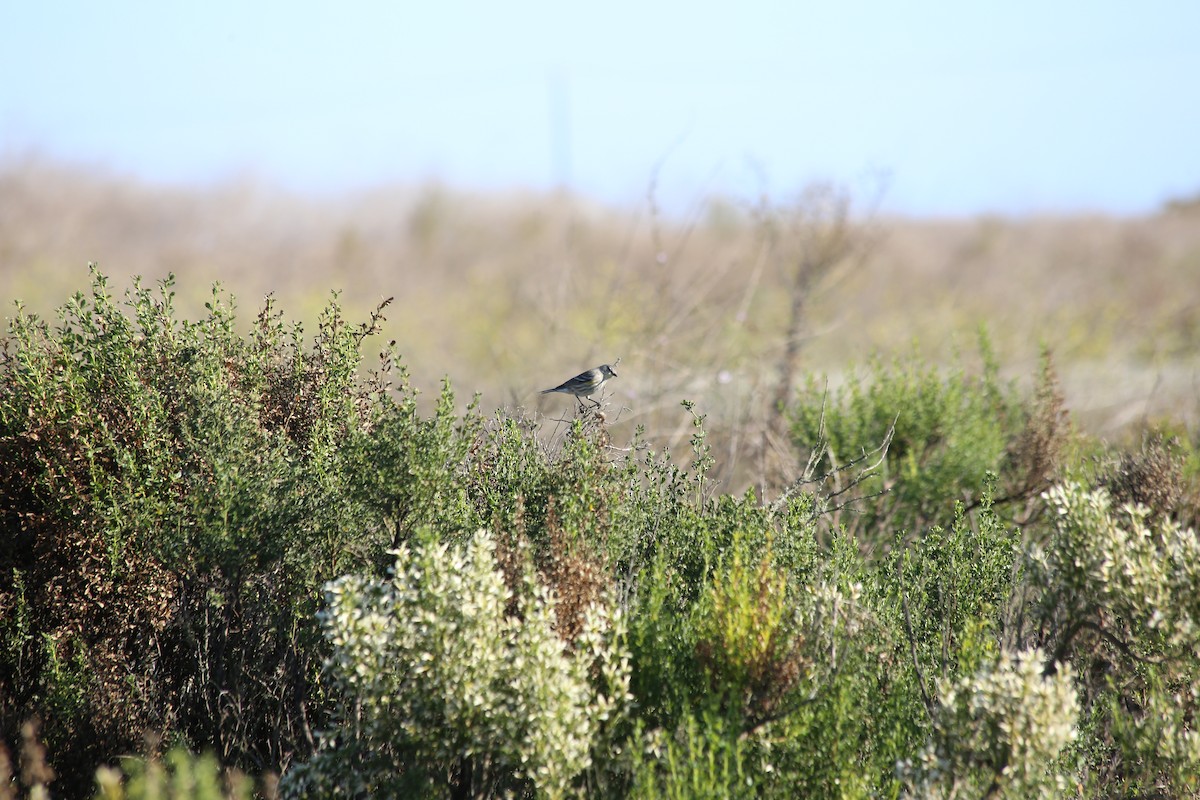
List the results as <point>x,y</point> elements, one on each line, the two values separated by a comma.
<point>509,294</point>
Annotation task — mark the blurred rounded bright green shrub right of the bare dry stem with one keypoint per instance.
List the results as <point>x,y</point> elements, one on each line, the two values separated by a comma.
<point>943,434</point>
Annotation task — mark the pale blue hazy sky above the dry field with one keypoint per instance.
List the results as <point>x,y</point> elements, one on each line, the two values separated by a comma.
<point>970,107</point>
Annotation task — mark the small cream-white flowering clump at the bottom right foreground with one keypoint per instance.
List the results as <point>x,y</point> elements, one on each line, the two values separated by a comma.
<point>999,732</point>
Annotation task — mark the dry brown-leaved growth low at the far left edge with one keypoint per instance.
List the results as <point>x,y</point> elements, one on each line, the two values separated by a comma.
<point>107,609</point>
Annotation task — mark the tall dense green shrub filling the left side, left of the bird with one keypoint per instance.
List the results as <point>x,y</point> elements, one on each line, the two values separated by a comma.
<point>175,496</point>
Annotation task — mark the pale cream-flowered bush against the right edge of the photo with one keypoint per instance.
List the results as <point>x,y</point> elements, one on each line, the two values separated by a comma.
<point>1120,597</point>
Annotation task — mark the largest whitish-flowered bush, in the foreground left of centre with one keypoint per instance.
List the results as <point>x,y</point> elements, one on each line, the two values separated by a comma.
<point>443,687</point>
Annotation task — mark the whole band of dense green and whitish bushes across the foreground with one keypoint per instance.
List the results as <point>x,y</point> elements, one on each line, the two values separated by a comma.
<point>244,545</point>
